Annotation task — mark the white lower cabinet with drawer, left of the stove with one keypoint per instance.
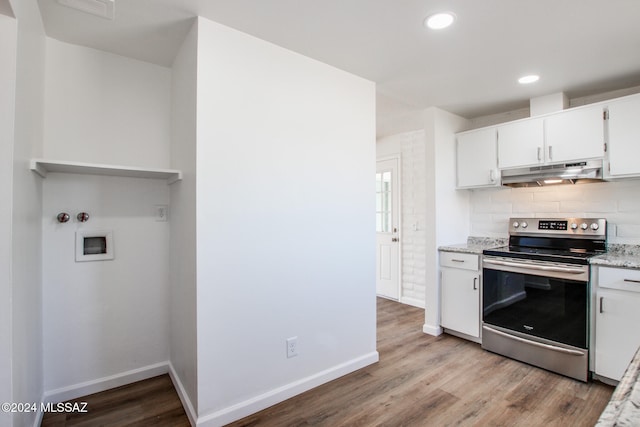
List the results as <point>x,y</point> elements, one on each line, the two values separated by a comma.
<point>460,293</point>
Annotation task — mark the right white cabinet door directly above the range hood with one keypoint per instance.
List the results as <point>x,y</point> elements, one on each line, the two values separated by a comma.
<point>575,134</point>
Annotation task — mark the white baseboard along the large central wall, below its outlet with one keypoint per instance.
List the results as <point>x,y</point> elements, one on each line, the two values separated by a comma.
<point>270,398</point>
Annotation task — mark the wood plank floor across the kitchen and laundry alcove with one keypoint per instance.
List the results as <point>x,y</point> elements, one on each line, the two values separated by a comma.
<point>420,381</point>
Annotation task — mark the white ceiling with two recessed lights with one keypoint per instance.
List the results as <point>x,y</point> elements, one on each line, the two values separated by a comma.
<point>580,47</point>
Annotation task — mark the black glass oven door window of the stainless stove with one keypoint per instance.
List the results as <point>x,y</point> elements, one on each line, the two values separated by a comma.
<point>551,308</point>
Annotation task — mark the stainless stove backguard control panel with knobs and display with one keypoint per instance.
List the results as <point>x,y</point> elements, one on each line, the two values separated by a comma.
<point>577,227</point>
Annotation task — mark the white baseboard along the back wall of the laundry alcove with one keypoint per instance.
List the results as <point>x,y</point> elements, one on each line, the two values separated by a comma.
<point>101,384</point>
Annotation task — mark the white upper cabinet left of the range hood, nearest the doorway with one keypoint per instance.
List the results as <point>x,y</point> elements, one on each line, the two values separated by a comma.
<point>476,159</point>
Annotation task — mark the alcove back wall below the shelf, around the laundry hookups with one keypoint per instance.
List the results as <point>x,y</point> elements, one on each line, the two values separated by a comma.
<point>103,318</point>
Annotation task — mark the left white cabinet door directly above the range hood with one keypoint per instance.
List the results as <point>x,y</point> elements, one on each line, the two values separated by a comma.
<point>521,143</point>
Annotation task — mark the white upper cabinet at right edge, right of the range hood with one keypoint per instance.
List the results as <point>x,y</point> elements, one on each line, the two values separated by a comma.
<point>624,137</point>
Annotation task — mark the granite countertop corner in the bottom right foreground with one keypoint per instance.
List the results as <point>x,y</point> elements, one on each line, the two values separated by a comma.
<point>624,407</point>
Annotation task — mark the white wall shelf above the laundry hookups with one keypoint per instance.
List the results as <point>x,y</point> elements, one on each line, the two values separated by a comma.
<point>42,167</point>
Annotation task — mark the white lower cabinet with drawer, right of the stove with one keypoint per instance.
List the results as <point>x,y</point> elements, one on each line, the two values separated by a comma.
<point>617,318</point>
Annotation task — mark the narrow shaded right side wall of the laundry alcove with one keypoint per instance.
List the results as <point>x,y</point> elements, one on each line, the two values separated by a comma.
<point>182,330</point>
